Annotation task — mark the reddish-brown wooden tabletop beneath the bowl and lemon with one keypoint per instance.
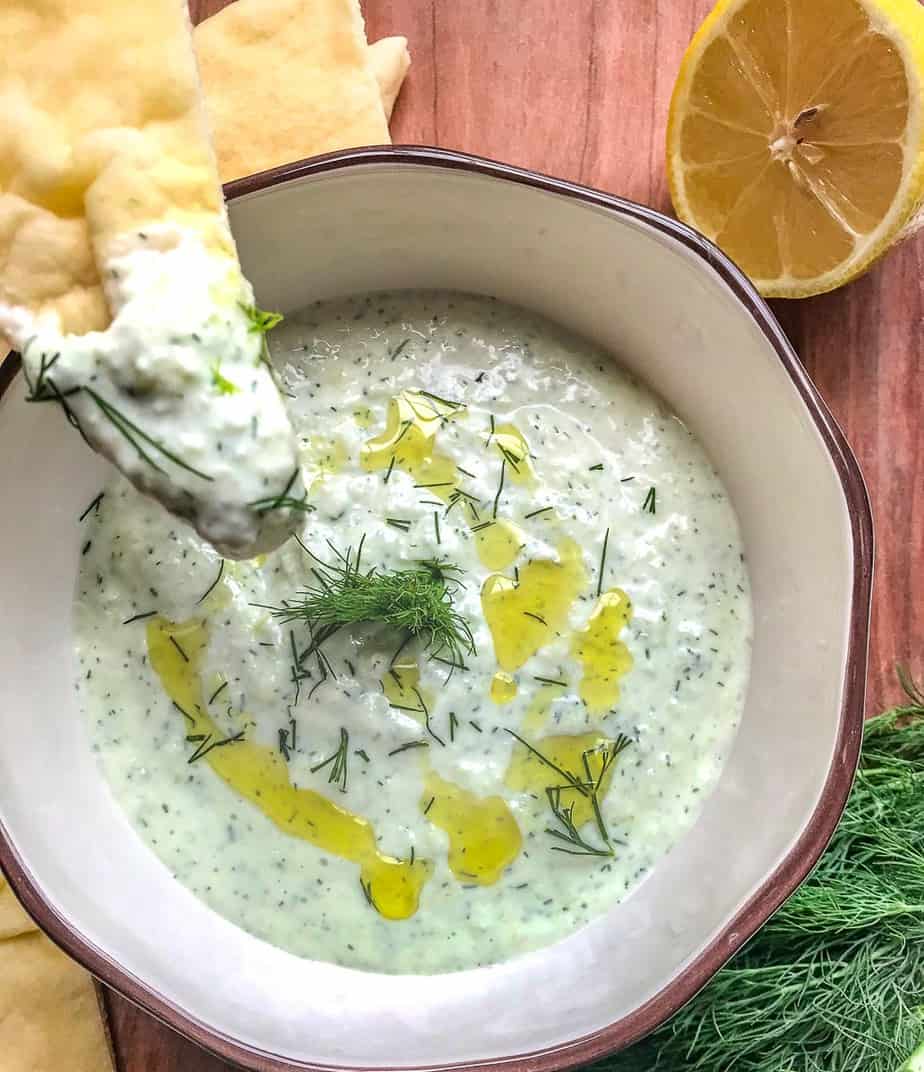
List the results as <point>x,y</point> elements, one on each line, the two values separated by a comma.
<point>580,90</point>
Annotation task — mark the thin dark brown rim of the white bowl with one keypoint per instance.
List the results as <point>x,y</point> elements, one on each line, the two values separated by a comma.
<point>814,840</point>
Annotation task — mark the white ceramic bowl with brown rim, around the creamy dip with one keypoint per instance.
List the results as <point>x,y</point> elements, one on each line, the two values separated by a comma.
<point>675,311</point>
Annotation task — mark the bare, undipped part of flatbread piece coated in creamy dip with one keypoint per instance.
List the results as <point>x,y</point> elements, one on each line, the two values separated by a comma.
<point>93,146</point>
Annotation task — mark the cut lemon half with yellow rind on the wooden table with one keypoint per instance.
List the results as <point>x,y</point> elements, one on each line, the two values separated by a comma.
<point>796,137</point>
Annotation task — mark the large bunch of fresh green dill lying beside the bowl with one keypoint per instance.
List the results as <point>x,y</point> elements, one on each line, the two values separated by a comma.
<point>836,981</point>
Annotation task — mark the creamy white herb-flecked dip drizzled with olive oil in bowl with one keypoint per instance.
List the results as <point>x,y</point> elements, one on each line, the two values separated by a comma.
<point>484,691</point>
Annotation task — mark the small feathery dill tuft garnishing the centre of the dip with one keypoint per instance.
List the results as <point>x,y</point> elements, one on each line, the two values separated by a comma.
<point>418,602</point>
